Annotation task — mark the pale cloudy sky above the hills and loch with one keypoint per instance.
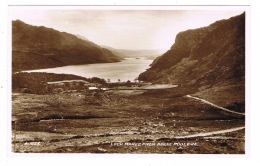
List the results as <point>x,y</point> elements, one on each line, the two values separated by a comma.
<point>122,29</point>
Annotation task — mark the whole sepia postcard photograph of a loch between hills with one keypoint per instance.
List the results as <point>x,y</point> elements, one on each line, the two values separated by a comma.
<point>128,80</point>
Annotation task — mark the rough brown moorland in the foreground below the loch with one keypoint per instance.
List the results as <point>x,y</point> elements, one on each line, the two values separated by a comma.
<point>123,121</point>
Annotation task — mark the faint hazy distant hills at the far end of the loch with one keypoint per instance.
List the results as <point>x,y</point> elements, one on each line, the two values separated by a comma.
<point>126,53</point>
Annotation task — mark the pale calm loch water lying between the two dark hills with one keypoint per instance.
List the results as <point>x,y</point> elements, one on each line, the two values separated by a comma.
<point>128,69</point>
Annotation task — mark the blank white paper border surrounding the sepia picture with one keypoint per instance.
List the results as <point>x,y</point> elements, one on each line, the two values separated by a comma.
<point>252,120</point>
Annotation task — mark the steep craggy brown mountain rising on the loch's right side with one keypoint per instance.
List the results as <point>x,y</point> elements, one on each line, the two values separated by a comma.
<point>211,58</point>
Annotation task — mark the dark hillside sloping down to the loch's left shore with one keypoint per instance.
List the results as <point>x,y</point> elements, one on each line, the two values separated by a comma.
<point>36,47</point>
